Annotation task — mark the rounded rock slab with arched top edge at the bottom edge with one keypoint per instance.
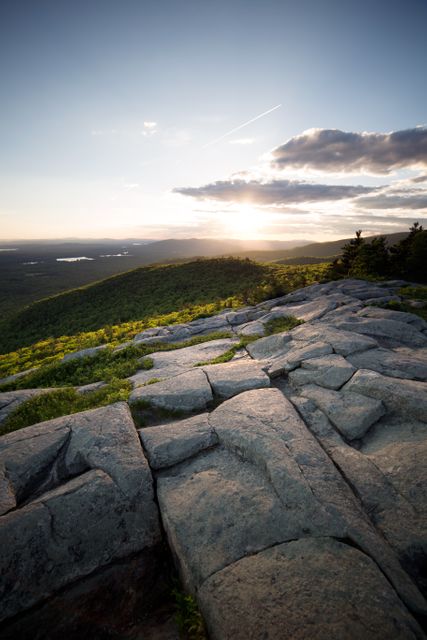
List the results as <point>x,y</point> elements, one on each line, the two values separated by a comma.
<point>310,588</point>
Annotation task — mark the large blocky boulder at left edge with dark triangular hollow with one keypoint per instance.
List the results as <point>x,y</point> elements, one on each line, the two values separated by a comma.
<point>88,502</point>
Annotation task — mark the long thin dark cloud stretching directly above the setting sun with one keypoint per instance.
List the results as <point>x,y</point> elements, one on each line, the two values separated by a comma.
<point>279,192</point>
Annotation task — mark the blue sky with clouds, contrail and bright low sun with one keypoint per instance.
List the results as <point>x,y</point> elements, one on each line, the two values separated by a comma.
<point>282,120</point>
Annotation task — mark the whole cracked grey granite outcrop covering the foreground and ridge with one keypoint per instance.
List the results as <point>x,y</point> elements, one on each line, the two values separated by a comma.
<point>291,489</point>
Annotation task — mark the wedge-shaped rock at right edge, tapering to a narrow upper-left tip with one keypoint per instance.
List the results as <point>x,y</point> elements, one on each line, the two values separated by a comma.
<point>393,494</point>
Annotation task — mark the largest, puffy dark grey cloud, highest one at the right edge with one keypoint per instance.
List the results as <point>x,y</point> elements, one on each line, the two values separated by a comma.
<point>341,151</point>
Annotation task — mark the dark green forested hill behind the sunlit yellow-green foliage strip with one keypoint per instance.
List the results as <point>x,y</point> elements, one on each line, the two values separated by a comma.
<point>149,291</point>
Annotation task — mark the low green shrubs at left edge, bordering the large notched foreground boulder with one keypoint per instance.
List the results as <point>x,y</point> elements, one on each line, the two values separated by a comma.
<point>63,402</point>
